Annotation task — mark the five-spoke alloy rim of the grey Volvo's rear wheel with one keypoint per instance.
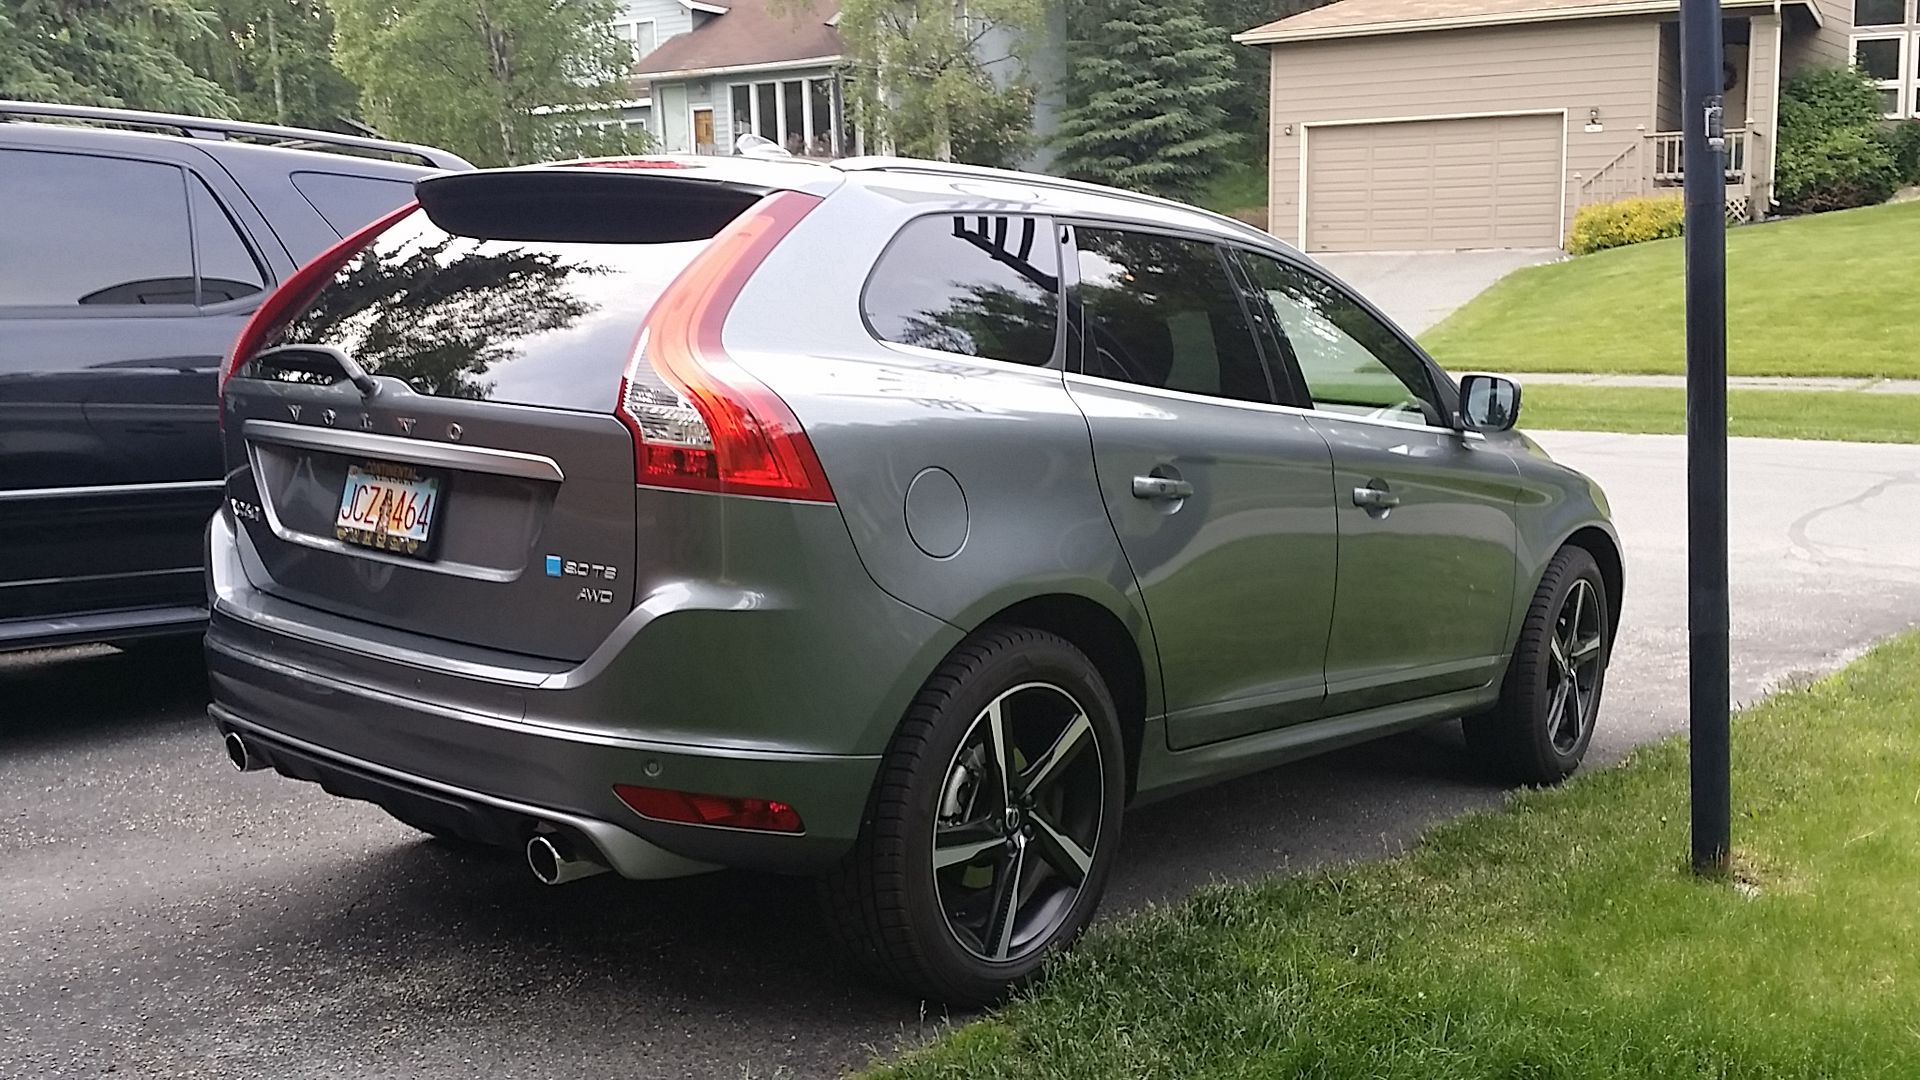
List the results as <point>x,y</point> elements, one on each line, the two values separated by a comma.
<point>1019,822</point>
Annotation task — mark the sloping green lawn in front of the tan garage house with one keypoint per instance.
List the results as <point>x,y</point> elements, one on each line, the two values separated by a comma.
<point>1825,295</point>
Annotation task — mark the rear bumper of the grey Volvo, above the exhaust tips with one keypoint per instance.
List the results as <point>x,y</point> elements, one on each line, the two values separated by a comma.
<point>494,779</point>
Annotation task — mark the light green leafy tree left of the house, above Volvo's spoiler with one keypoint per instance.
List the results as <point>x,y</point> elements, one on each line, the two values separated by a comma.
<point>498,82</point>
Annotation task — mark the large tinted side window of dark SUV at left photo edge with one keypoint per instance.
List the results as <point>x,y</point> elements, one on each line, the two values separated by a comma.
<point>80,230</point>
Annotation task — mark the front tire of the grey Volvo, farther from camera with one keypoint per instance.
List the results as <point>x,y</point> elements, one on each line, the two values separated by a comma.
<point>1525,739</point>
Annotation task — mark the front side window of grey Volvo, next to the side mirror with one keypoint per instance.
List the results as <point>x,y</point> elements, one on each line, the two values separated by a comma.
<point>1353,362</point>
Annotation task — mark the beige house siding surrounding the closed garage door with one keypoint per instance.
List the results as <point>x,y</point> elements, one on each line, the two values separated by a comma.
<point>1575,66</point>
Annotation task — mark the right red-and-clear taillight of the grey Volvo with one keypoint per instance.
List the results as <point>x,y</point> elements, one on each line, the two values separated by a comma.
<point>700,422</point>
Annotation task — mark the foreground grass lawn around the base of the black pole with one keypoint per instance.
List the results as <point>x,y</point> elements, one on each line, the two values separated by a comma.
<point>1556,939</point>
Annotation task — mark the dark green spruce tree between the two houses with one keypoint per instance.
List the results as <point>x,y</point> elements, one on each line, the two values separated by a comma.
<point>1145,97</point>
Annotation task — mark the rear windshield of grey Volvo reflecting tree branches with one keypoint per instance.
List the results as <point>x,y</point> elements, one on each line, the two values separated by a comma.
<point>519,322</point>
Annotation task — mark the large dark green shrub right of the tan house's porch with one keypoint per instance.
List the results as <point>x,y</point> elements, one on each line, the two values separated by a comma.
<point>1835,149</point>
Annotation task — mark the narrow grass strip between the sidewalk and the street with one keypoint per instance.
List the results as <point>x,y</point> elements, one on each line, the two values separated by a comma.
<point>1767,414</point>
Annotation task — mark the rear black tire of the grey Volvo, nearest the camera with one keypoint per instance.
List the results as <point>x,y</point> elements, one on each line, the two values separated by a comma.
<point>888,902</point>
